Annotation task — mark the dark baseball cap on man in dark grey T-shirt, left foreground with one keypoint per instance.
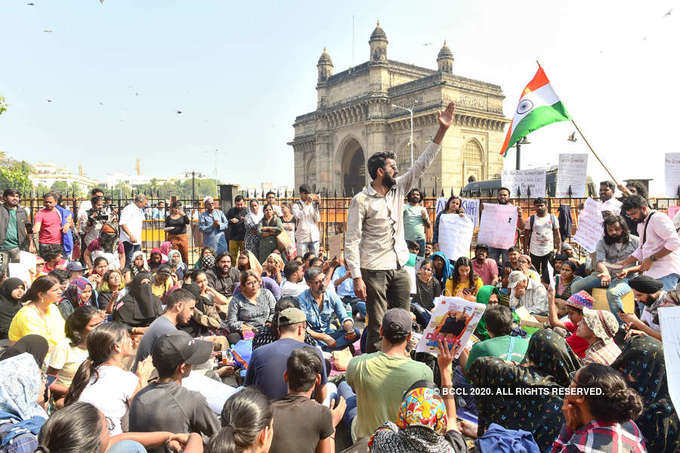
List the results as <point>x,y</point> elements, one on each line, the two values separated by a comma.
<point>171,350</point>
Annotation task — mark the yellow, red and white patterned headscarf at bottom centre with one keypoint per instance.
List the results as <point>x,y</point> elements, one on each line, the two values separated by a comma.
<point>423,407</point>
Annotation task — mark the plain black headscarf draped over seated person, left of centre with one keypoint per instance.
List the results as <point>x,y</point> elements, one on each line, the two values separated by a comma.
<point>139,306</point>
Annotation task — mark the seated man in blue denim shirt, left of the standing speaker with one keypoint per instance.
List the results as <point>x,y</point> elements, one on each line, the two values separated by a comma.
<point>319,306</point>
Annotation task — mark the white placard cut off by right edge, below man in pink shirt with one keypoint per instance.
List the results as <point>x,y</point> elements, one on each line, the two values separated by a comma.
<point>669,318</point>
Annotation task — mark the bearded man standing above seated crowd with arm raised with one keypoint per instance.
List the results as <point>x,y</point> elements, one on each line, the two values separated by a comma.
<point>375,248</point>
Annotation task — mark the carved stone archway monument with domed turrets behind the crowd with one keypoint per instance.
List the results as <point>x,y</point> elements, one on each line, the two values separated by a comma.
<point>356,117</point>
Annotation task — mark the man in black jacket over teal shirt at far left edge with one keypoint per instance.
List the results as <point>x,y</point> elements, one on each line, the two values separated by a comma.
<point>15,232</point>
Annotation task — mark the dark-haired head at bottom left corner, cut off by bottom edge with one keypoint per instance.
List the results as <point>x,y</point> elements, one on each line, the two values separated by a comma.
<point>73,429</point>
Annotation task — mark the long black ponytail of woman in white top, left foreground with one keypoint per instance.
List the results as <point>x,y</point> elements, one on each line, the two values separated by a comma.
<point>101,344</point>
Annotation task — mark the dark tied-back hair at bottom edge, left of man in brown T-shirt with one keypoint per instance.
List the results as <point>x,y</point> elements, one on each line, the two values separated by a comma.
<point>244,415</point>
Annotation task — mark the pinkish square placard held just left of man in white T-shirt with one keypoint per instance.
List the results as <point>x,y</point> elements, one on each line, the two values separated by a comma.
<point>498,226</point>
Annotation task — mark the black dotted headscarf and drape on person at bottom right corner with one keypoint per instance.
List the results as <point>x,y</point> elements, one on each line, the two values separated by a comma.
<point>642,361</point>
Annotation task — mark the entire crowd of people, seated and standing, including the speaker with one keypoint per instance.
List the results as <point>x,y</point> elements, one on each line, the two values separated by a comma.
<point>265,343</point>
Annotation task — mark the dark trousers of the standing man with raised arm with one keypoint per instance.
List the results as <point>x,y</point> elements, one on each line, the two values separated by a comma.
<point>384,290</point>
